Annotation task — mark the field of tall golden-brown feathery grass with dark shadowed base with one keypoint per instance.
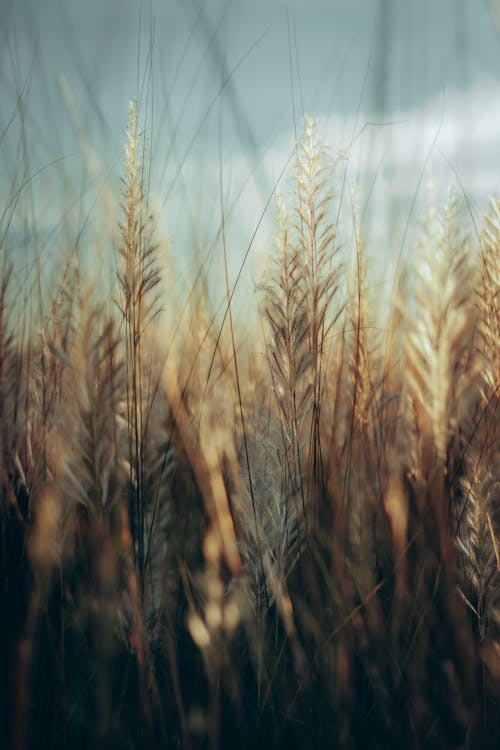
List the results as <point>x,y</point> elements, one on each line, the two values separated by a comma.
<point>279,535</point>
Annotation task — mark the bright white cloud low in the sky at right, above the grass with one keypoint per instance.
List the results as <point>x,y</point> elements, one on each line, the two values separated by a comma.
<point>456,133</point>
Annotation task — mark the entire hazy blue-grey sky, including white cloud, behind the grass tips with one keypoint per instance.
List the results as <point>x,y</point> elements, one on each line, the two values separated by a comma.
<point>407,88</point>
